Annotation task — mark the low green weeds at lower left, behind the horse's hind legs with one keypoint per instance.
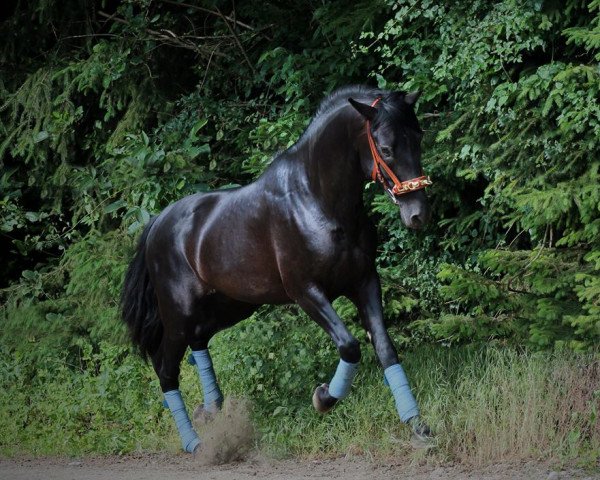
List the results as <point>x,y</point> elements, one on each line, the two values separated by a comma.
<point>53,405</point>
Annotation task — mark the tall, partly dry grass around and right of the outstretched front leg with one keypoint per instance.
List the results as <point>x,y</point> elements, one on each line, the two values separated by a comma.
<point>486,405</point>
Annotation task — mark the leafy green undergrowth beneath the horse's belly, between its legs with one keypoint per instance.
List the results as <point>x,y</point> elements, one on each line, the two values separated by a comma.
<point>282,352</point>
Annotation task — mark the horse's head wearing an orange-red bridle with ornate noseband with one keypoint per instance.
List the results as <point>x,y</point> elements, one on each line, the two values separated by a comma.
<point>395,137</point>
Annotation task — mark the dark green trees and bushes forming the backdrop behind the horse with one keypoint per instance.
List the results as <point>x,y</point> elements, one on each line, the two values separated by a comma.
<point>111,110</point>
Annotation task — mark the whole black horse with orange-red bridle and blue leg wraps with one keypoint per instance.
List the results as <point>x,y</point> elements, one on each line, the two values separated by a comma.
<point>300,233</point>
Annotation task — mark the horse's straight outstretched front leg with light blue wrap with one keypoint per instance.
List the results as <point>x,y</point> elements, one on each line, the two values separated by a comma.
<point>368,301</point>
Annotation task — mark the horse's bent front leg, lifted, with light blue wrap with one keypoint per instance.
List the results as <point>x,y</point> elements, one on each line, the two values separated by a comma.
<point>314,302</point>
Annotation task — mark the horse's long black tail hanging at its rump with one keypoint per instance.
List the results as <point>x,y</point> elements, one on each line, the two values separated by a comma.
<point>139,306</point>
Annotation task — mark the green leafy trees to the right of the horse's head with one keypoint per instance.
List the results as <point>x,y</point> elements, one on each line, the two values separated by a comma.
<point>516,161</point>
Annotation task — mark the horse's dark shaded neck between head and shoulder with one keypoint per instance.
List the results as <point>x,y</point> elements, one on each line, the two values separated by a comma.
<point>332,165</point>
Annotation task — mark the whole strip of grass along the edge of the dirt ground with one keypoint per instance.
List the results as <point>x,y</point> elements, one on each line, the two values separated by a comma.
<point>487,405</point>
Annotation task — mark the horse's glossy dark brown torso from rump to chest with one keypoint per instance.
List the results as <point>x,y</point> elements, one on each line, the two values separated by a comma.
<point>263,243</point>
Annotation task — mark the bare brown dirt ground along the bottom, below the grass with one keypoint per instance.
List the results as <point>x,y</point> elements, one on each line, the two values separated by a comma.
<point>184,467</point>
